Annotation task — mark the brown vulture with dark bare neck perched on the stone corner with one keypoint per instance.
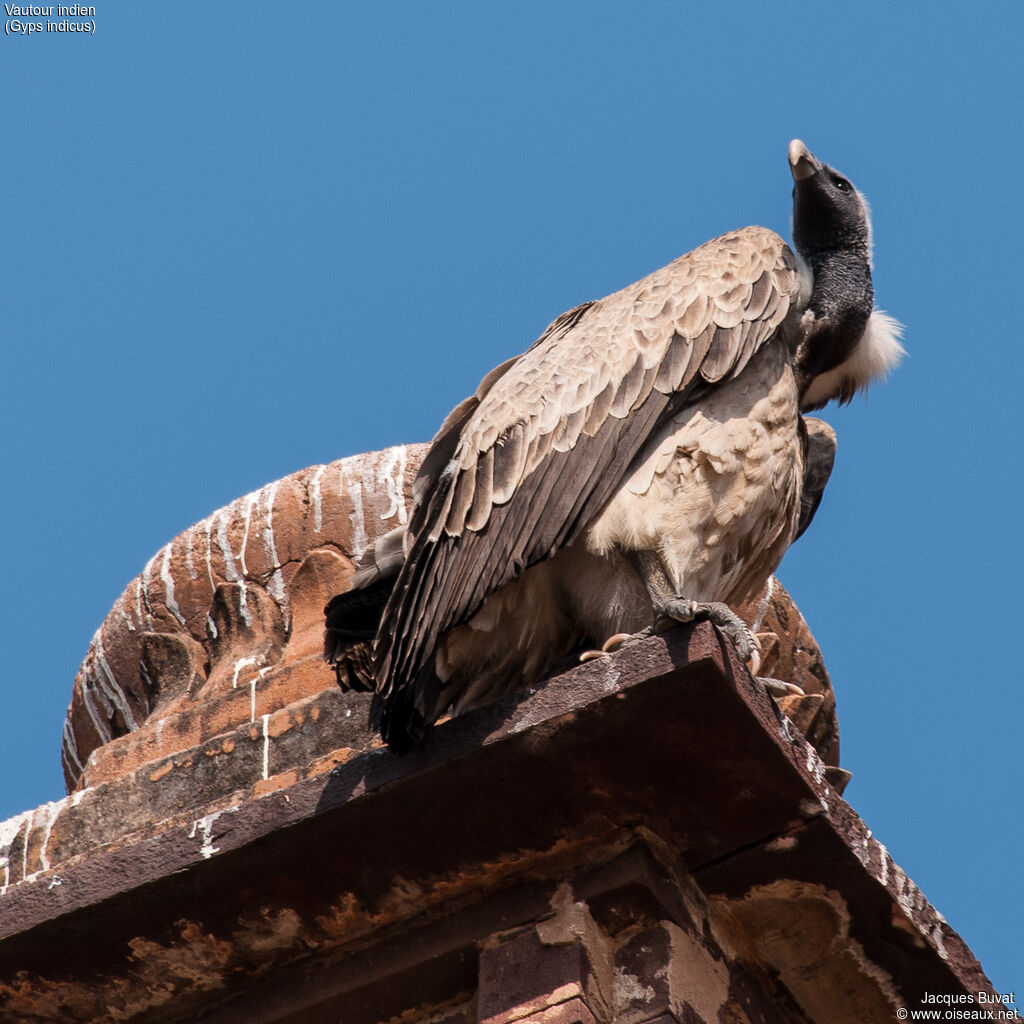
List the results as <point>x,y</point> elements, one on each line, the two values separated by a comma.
<point>646,459</point>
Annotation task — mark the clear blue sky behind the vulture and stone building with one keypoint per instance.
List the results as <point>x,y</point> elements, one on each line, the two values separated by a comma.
<point>243,239</point>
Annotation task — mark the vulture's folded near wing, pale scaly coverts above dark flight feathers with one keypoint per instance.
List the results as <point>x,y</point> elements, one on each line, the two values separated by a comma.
<point>518,472</point>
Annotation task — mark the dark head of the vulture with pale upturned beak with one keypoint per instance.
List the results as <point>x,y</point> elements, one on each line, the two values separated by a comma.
<point>829,214</point>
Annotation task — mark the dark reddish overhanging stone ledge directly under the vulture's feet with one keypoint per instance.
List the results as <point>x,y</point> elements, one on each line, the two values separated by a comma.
<point>670,745</point>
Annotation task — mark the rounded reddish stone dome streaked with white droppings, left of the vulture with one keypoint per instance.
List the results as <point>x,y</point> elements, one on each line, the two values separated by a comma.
<point>237,595</point>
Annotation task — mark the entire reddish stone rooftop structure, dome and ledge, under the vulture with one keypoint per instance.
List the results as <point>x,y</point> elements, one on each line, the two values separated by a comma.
<point>643,838</point>
